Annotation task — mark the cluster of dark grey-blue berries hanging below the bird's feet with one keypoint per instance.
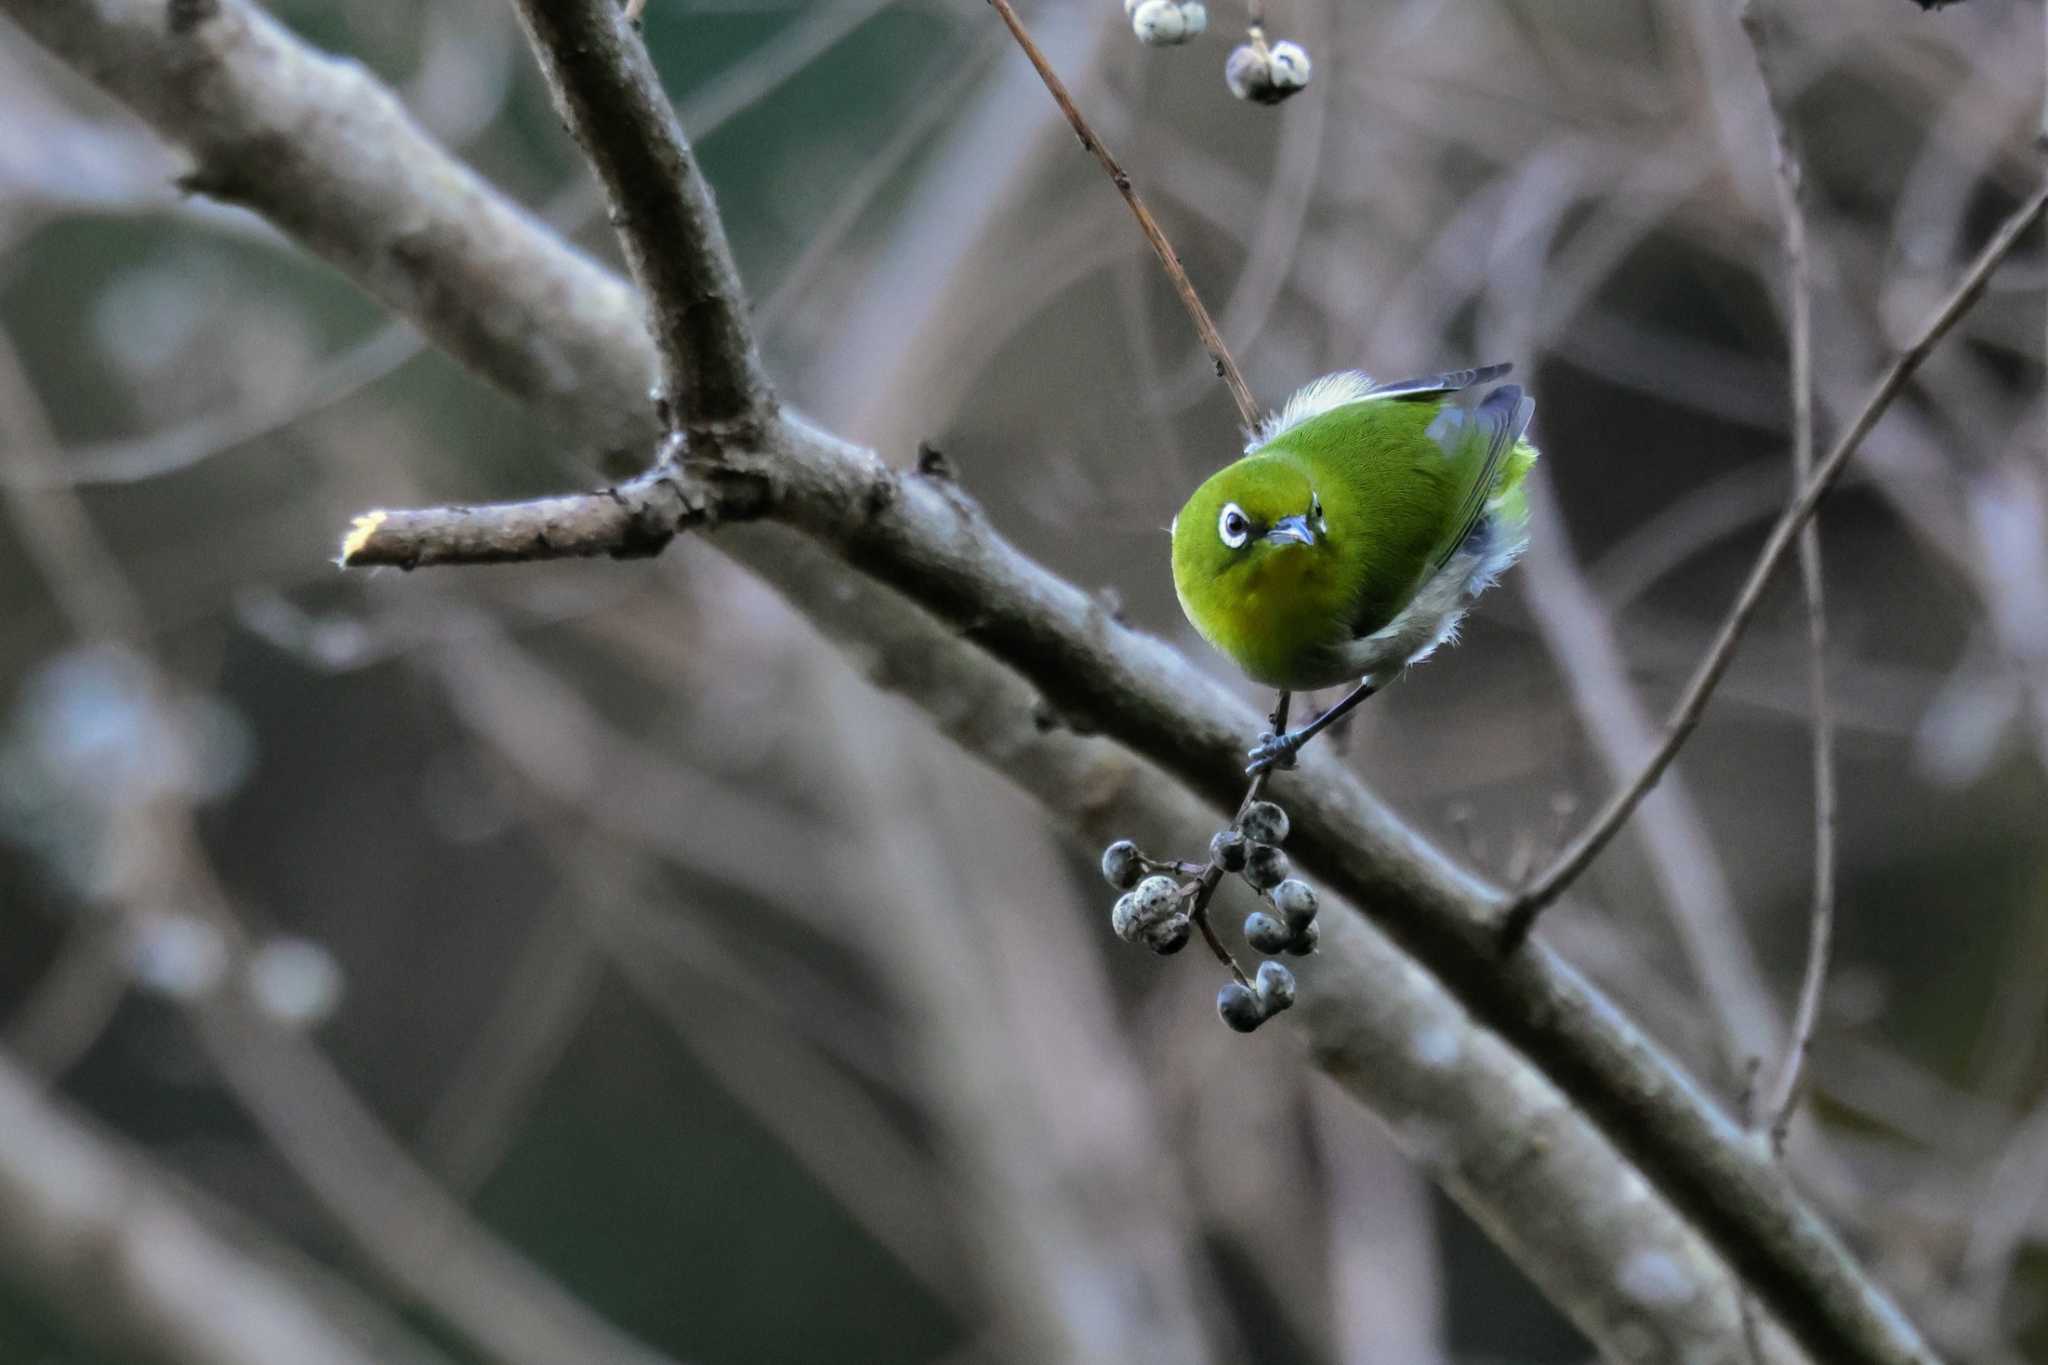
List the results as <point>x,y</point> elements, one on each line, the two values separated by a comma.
<point>1166,901</point>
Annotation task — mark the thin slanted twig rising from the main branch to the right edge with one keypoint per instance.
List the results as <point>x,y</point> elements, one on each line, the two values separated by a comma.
<point>1525,910</point>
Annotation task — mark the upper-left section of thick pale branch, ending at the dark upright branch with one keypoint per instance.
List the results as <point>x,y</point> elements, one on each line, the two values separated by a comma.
<point>329,155</point>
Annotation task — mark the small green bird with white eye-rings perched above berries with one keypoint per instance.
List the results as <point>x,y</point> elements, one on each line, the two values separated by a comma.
<point>1355,533</point>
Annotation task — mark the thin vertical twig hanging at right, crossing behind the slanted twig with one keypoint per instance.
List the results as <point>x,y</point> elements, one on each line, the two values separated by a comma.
<point>1787,177</point>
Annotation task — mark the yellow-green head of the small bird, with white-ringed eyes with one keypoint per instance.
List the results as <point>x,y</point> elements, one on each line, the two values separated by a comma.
<point>1252,535</point>
